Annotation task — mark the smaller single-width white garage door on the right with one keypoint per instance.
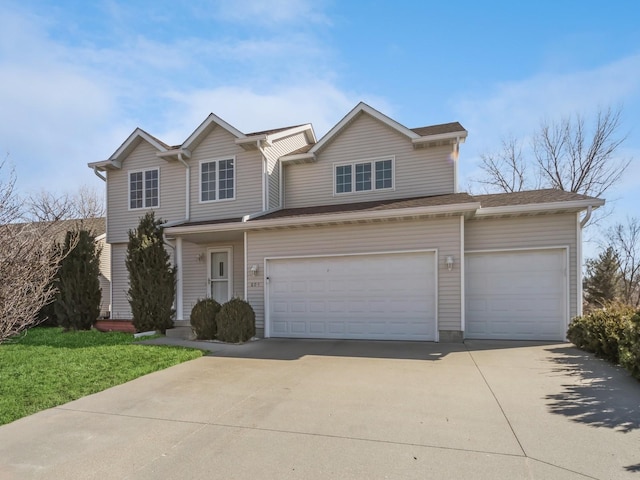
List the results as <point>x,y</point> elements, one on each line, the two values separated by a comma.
<point>517,295</point>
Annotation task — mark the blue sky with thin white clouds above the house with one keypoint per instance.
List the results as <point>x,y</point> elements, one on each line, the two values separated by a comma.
<point>77,77</point>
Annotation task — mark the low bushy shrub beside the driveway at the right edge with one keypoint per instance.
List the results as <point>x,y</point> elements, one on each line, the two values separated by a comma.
<point>600,331</point>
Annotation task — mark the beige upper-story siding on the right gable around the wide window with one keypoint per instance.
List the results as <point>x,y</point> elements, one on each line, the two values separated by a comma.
<point>425,171</point>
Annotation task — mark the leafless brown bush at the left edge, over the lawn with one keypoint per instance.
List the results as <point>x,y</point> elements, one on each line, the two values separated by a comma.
<point>28,262</point>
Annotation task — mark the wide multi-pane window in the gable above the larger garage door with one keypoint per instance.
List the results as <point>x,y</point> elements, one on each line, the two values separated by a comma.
<point>364,176</point>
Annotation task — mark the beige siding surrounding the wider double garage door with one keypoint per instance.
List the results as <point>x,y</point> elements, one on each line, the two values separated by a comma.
<point>442,234</point>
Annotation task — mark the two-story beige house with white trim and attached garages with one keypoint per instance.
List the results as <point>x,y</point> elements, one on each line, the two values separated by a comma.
<point>359,235</point>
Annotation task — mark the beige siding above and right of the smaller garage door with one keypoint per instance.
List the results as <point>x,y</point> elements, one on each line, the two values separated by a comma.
<point>528,232</point>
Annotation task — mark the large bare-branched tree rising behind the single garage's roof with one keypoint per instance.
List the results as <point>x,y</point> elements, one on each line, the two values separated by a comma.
<point>567,154</point>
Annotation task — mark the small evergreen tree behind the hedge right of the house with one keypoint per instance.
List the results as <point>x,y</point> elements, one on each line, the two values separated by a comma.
<point>602,282</point>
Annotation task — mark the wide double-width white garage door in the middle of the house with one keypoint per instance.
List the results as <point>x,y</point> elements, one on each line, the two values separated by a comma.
<point>381,297</point>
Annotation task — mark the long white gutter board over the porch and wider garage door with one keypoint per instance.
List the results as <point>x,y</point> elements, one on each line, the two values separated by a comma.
<point>327,218</point>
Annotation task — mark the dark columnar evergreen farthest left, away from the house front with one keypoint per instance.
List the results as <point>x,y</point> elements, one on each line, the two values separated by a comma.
<point>77,304</point>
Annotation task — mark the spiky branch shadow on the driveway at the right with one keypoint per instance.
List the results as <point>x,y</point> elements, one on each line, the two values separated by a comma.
<point>603,396</point>
